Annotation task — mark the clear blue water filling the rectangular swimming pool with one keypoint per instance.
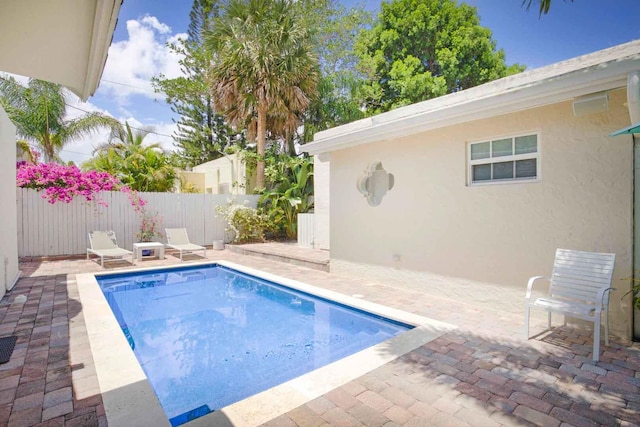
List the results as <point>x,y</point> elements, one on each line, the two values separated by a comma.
<point>207,337</point>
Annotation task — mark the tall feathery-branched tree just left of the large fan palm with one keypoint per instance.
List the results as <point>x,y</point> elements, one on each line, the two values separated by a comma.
<point>201,133</point>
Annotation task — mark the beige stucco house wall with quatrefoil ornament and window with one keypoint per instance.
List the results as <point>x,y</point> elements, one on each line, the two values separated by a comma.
<point>432,221</point>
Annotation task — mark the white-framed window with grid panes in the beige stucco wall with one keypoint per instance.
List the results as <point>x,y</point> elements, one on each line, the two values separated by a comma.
<point>506,159</point>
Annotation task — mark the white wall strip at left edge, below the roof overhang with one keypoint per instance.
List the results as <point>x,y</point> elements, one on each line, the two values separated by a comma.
<point>8,224</point>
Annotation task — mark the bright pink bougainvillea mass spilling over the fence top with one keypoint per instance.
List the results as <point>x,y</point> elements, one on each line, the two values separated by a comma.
<point>63,183</point>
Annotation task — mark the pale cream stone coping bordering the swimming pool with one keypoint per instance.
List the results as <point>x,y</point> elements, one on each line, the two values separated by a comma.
<point>129,399</point>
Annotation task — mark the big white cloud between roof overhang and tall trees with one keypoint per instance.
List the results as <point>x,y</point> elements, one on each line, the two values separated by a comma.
<point>133,62</point>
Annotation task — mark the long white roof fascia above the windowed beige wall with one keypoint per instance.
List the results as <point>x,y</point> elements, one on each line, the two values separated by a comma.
<point>599,71</point>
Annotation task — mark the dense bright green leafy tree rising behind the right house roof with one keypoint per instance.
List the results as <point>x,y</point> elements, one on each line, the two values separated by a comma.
<point>422,49</point>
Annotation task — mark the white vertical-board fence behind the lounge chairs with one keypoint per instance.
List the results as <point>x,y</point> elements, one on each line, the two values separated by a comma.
<point>46,229</point>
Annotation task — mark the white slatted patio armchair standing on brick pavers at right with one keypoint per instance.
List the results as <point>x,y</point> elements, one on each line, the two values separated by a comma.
<point>579,287</point>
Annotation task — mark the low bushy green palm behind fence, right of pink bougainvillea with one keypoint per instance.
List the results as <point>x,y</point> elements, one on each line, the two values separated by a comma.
<point>142,167</point>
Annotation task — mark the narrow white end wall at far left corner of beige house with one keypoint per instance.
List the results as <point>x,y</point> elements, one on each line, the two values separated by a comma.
<point>321,200</point>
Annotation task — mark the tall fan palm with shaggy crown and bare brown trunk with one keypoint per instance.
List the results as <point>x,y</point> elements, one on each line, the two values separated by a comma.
<point>264,71</point>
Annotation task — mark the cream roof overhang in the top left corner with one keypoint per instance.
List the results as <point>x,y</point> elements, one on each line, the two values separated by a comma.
<point>62,41</point>
